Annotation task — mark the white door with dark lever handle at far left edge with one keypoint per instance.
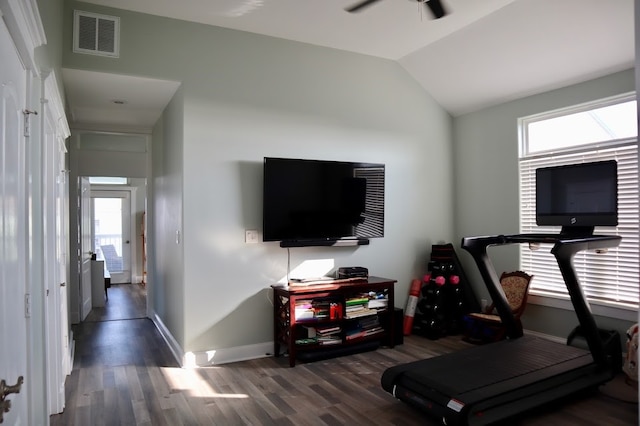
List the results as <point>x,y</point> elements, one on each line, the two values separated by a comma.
<point>13,229</point>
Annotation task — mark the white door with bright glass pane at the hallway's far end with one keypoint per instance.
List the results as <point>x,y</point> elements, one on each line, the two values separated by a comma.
<point>112,232</point>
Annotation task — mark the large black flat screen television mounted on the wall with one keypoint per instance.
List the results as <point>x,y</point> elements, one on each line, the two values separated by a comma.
<point>317,202</point>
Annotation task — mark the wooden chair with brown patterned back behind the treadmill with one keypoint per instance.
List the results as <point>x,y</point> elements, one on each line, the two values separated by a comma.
<point>486,327</point>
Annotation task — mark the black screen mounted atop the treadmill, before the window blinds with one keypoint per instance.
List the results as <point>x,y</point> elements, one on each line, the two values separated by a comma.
<point>577,197</point>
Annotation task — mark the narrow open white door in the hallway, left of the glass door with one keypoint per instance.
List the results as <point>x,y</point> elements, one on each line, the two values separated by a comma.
<point>85,250</point>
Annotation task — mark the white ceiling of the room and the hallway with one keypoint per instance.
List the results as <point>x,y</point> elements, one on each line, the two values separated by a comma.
<point>484,52</point>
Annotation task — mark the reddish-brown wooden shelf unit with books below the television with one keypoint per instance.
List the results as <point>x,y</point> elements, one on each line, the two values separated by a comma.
<point>330,318</point>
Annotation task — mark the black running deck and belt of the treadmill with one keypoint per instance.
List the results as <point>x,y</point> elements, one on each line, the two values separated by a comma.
<point>487,383</point>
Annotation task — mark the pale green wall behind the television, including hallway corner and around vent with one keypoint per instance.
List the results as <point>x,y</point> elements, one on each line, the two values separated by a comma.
<point>245,97</point>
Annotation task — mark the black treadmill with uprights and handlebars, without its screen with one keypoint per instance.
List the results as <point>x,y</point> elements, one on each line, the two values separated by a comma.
<point>485,384</point>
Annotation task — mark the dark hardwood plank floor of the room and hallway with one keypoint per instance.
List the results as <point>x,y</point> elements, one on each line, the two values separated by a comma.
<point>124,374</point>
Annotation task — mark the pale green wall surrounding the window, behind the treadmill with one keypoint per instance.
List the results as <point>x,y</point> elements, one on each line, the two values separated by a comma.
<point>486,187</point>
